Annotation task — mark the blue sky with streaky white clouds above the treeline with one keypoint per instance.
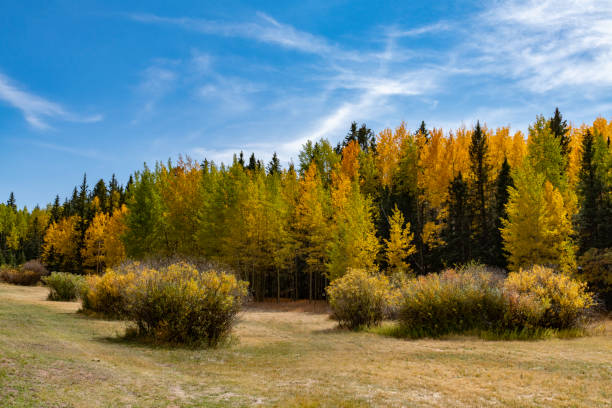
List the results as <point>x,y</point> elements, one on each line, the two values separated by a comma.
<point>103,86</point>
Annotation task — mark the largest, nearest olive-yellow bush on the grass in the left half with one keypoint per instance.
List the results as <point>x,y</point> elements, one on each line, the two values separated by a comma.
<point>182,305</point>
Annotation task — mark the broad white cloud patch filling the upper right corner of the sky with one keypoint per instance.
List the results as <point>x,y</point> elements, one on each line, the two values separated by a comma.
<point>547,44</point>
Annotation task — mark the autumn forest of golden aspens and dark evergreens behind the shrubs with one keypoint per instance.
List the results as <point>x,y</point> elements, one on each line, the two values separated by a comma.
<point>405,202</point>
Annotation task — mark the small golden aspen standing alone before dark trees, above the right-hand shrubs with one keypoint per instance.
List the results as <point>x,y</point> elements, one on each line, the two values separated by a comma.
<point>399,246</point>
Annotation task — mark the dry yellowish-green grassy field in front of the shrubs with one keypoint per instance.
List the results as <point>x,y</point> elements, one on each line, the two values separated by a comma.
<point>52,357</point>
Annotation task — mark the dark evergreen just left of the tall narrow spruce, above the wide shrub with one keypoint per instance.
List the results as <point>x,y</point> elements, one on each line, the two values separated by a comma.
<point>457,231</point>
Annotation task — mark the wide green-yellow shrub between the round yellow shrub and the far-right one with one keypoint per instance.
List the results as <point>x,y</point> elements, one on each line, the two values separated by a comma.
<point>451,302</point>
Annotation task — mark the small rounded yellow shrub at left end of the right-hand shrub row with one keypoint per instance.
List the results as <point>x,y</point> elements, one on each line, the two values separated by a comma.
<point>359,298</point>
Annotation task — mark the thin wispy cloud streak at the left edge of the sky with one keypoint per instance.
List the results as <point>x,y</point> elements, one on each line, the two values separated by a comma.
<point>35,109</point>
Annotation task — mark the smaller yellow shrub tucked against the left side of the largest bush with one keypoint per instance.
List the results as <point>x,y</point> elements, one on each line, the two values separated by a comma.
<point>106,295</point>
